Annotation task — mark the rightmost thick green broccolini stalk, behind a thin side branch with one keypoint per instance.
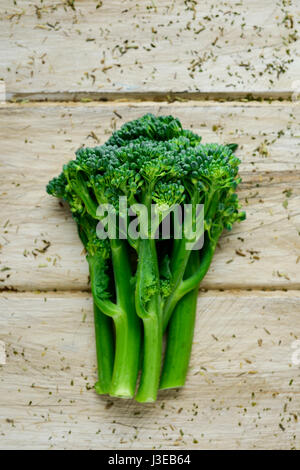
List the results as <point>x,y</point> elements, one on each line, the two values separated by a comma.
<point>180,336</point>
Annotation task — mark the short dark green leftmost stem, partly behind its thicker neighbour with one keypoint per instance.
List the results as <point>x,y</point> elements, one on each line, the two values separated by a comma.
<point>104,350</point>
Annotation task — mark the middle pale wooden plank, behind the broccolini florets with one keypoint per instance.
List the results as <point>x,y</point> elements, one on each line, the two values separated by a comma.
<point>262,252</point>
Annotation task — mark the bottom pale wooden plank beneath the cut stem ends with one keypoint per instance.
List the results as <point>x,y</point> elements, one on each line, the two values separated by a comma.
<point>242,390</point>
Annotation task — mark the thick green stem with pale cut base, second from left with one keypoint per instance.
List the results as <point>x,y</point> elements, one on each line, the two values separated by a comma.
<point>127,325</point>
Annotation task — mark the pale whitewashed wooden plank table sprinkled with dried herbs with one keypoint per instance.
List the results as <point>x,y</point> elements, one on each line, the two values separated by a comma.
<point>76,70</point>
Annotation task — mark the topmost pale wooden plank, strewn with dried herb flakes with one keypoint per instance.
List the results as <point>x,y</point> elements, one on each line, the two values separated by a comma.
<point>68,49</point>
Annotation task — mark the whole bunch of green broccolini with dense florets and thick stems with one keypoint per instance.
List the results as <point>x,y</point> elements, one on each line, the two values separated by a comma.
<point>143,286</point>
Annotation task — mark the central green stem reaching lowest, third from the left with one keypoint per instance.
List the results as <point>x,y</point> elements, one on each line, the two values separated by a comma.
<point>148,307</point>
